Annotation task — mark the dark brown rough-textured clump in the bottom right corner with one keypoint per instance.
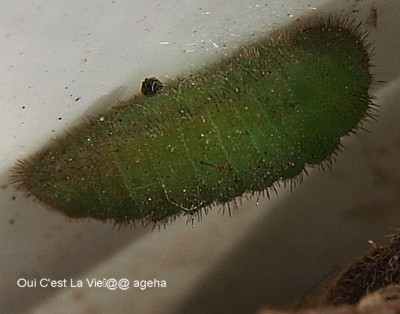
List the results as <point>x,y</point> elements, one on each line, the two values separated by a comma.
<point>370,285</point>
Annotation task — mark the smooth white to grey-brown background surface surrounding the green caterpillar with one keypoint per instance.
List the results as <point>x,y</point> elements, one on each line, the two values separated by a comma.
<point>54,52</point>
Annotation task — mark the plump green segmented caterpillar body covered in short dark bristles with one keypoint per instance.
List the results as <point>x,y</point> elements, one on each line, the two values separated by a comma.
<point>256,118</point>
